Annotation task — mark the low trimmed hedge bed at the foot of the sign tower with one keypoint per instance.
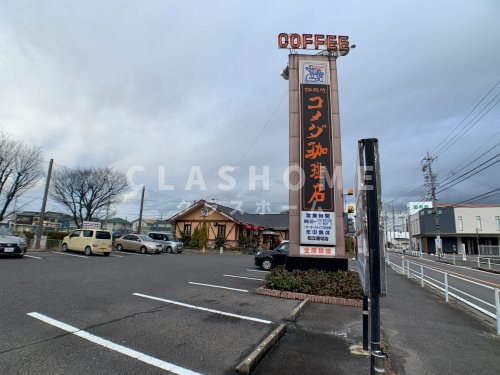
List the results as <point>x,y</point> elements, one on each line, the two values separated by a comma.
<point>344,284</point>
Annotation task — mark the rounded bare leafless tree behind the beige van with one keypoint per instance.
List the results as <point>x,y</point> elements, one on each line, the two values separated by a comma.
<point>87,192</point>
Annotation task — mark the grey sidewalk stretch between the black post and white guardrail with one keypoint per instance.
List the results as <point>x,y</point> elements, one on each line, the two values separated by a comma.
<point>425,335</point>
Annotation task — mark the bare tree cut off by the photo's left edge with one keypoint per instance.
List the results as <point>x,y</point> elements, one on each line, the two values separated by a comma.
<point>20,169</point>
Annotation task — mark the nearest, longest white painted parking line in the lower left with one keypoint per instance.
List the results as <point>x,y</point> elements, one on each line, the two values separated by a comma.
<point>116,347</point>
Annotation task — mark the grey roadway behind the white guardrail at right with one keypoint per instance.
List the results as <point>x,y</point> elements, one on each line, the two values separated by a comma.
<point>471,285</point>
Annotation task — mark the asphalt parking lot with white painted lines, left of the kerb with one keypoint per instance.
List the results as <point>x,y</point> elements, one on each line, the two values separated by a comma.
<point>65,313</point>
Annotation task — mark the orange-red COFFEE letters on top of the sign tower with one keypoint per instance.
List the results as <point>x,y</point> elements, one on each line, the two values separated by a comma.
<point>314,41</point>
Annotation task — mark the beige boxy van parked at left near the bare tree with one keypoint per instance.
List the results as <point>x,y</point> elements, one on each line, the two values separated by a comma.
<point>89,241</point>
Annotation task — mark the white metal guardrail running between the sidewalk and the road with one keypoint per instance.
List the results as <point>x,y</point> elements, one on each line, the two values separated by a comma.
<point>425,279</point>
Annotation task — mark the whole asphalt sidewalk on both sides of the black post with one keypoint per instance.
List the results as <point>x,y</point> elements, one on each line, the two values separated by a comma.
<point>421,334</point>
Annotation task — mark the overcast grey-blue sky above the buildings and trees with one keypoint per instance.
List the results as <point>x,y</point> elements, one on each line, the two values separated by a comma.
<point>165,90</point>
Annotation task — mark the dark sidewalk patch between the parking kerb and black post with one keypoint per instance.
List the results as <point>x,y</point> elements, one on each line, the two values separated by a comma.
<point>319,342</point>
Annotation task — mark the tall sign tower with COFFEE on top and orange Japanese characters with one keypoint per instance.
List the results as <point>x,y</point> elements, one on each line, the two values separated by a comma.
<point>316,217</point>
